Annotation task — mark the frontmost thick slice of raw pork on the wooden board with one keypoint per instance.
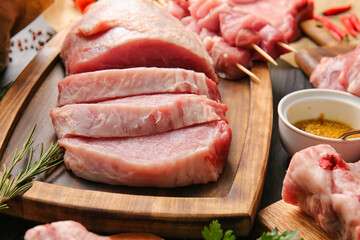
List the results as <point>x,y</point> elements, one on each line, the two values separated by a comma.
<point>192,155</point>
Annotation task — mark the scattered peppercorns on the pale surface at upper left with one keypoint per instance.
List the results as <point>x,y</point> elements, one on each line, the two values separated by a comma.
<point>36,41</point>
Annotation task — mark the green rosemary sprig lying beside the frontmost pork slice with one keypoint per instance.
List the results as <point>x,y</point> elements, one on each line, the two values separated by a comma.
<point>12,187</point>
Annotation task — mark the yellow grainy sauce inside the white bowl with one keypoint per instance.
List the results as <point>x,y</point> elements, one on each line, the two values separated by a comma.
<point>323,127</point>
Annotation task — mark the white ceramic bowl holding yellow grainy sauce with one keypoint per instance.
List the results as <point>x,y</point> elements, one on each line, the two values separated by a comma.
<point>310,103</point>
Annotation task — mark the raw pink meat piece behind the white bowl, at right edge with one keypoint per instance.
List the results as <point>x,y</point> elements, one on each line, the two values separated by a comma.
<point>340,73</point>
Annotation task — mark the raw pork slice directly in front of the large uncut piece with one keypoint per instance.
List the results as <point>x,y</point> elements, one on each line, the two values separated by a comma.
<point>109,84</point>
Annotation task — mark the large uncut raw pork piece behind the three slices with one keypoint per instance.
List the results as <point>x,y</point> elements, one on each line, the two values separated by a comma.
<point>132,33</point>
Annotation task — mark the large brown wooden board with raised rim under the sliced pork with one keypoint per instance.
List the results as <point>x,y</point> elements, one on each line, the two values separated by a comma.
<point>180,212</point>
